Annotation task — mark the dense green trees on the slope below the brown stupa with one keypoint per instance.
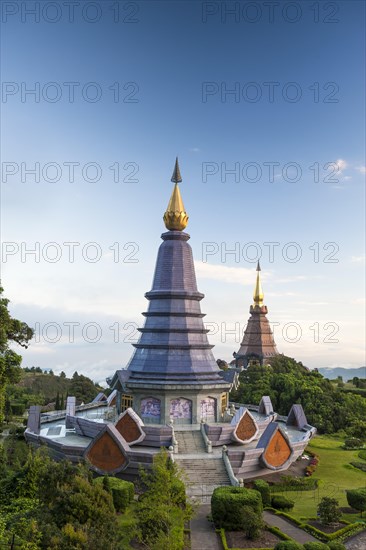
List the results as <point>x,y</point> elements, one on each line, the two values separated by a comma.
<point>287,381</point>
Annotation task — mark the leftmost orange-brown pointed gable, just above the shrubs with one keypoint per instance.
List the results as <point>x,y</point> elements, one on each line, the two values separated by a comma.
<point>108,452</point>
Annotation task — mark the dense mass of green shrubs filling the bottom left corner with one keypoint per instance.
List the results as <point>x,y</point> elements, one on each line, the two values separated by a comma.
<point>55,505</point>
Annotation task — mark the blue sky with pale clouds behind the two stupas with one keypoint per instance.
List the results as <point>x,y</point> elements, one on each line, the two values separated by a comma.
<point>298,158</point>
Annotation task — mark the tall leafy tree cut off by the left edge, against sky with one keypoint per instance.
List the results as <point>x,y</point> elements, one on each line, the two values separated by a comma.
<point>11,331</point>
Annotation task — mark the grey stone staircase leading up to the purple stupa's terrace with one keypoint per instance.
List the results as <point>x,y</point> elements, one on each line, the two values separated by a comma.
<point>203,472</point>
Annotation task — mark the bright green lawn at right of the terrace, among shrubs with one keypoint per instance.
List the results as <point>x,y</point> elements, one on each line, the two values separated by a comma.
<point>335,475</point>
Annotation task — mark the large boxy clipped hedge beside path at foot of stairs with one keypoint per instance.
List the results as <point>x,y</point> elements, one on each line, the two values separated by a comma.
<point>227,505</point>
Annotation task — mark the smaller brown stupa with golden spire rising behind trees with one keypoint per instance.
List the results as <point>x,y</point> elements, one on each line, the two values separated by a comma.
<point>258,343</point>
